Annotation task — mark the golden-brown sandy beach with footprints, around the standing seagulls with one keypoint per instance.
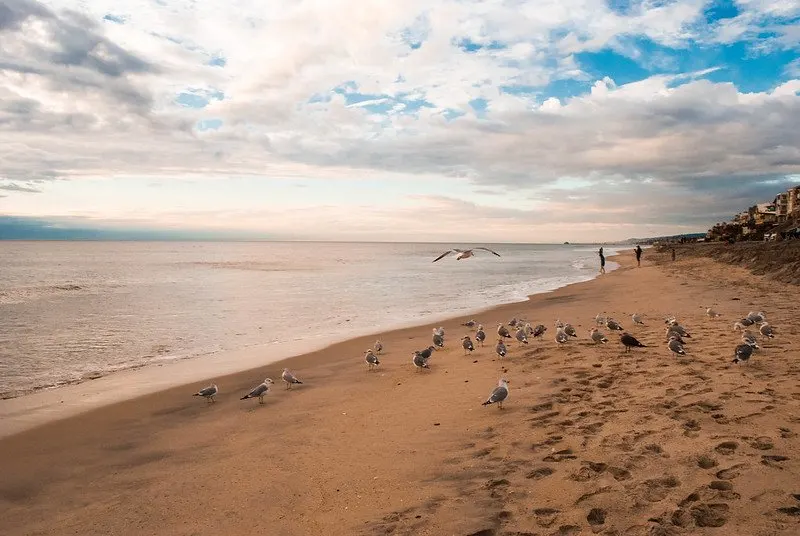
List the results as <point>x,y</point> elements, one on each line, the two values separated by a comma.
<point>590,441</point>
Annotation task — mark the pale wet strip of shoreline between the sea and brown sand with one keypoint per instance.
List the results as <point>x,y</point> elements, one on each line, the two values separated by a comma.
<point>51,404</point>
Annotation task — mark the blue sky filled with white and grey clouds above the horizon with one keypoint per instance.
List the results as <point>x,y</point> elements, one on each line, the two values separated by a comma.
<point>434,120</point>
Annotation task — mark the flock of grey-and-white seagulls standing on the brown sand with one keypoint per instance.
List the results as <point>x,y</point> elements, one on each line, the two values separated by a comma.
<point>676,335</point>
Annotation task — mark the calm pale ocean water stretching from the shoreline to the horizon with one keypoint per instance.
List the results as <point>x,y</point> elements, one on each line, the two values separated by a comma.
<point>74,311</point>
